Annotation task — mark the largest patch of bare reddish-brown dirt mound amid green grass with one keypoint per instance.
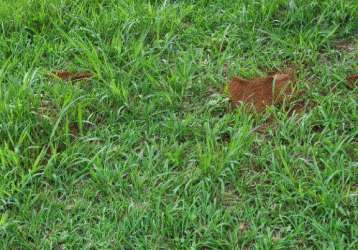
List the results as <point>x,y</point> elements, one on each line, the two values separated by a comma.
<point>260,92</point>
